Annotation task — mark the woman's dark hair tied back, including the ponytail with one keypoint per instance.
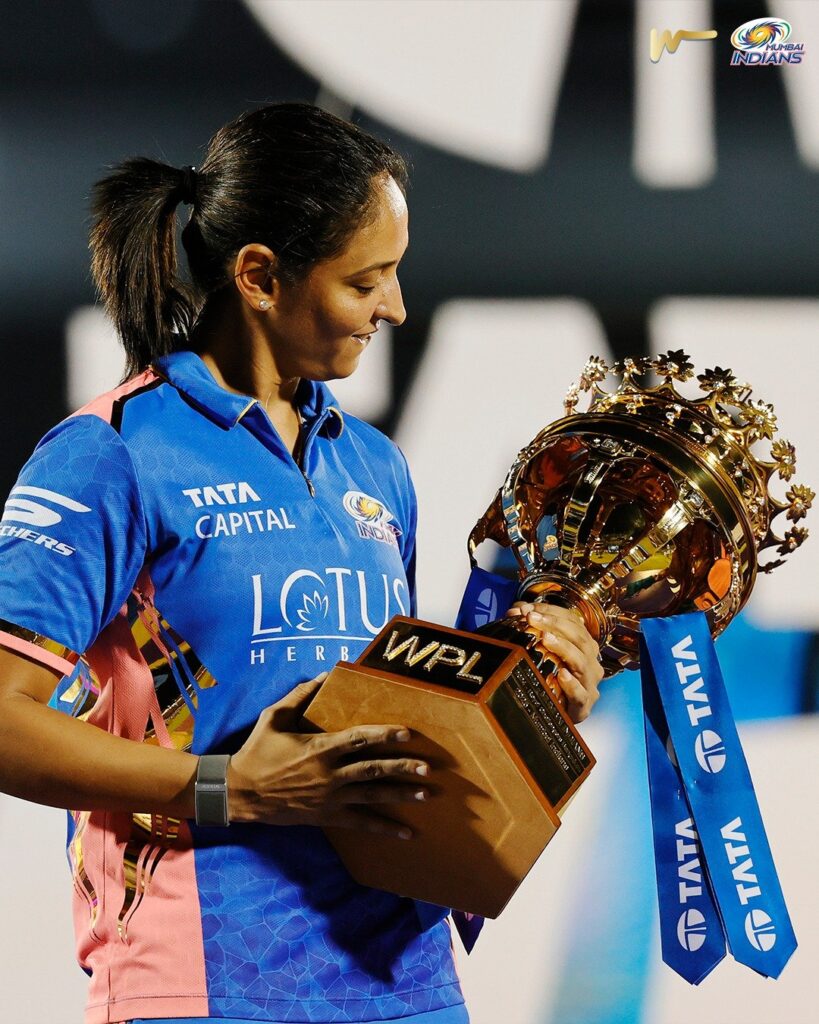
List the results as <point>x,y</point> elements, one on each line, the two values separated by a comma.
<point>288,176</point>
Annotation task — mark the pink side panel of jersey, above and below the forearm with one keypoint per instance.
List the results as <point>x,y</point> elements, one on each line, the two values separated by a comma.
<point>137,908</point>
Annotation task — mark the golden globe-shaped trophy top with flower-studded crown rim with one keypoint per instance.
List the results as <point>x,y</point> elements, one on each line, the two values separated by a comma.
<point>652,502</point>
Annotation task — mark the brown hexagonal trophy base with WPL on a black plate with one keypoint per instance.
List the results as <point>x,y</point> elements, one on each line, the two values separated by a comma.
<point>504,758</point>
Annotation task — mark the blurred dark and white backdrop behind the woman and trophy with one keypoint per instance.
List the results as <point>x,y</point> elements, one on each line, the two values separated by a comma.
<point>569,197</point>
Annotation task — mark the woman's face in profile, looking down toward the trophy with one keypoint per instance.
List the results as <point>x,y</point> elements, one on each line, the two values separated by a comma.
<point>321,327</point>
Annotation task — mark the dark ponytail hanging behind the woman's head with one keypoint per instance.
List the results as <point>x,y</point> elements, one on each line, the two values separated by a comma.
<point>134,259</point>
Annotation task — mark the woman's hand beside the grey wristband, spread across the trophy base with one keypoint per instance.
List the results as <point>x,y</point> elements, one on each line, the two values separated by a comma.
<point>286,777</point>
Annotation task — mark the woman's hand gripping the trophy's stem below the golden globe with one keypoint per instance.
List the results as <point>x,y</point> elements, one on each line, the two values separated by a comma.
<point>565,635</point>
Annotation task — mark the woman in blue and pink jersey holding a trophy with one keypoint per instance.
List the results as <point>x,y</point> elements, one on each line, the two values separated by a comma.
<point>206,514</point>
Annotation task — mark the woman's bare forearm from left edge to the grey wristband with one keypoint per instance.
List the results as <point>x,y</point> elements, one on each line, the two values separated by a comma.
<point>49,758</point>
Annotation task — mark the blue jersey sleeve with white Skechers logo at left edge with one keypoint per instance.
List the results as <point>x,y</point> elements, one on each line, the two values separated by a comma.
<point>73,535</point>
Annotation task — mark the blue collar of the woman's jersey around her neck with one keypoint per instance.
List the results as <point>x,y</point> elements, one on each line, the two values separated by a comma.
<point>187,372</point>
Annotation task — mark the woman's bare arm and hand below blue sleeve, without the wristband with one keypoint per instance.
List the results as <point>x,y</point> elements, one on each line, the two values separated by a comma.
<point>280,777</point>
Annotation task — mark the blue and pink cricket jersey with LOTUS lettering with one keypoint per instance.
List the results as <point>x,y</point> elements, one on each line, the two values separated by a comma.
<point>163,549</point>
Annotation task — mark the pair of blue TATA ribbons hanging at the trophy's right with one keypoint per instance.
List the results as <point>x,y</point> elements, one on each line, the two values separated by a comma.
<point>716,876</point>
